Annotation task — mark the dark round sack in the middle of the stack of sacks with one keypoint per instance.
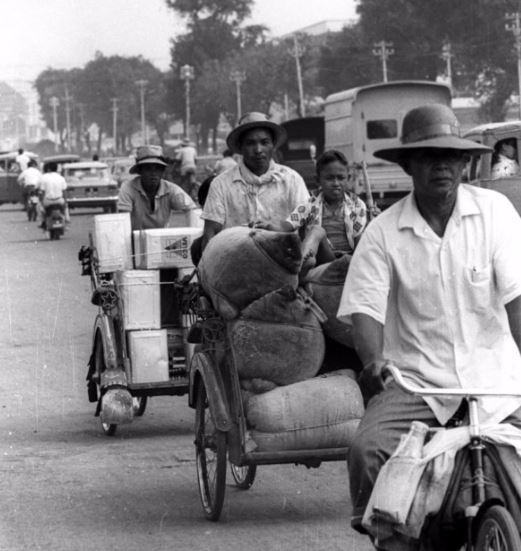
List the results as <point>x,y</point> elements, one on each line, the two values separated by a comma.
<point>278,339</point>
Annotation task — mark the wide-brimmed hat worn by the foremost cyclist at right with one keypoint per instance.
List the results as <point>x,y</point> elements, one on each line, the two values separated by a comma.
<point>430,126</point>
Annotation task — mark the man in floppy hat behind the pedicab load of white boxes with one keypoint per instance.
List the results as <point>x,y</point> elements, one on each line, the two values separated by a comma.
<point>148,197</point>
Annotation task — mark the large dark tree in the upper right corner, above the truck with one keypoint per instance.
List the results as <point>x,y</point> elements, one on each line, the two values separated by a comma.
<point>475,29</point>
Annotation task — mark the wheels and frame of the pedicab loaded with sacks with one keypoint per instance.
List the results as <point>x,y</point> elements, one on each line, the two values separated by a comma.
<point>220,421</point>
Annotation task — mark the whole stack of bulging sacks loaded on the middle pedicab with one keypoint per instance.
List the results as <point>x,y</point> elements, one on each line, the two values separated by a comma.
<point>275,332</point>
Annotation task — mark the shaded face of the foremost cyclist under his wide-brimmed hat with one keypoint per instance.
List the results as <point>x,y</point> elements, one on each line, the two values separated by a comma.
<point>436,173</point>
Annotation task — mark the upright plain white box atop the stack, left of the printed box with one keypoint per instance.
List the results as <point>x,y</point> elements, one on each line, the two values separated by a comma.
<point>112,239</point>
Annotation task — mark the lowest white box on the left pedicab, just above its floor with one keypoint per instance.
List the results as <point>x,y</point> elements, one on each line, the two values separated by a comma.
<point>148,356</point>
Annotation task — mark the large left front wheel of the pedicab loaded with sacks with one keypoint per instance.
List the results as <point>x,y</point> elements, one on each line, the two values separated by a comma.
<point>210,449</point>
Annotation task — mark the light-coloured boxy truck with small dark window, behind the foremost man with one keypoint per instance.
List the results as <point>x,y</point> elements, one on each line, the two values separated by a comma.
<point>362,120</point>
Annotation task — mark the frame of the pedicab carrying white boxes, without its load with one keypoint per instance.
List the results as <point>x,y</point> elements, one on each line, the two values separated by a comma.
<point>110,363</point>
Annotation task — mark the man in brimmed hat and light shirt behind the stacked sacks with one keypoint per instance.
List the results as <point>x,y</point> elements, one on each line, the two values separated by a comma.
<point>257,190</point>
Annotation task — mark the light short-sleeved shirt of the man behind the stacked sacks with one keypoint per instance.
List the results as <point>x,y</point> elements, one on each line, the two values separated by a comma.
<point>233,202</point>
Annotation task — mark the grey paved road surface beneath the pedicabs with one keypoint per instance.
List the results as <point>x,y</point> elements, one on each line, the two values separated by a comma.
<point>66,486</point>
